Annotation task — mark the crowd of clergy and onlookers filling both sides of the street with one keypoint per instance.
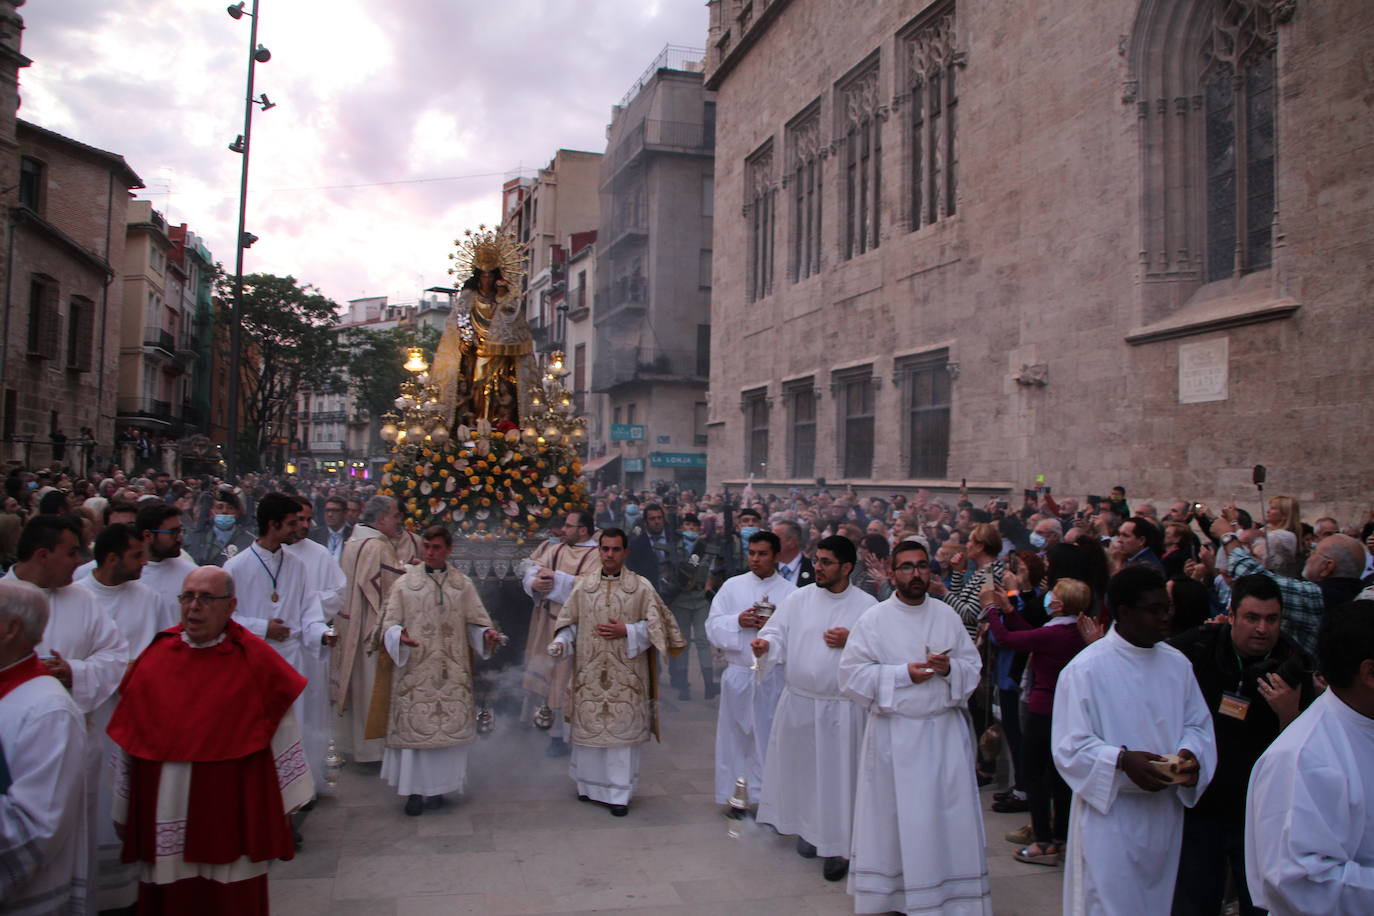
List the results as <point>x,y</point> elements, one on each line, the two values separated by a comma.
<point>1178,698</point>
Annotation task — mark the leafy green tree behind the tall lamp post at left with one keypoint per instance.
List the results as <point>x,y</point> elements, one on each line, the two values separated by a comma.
<point>288,347</point>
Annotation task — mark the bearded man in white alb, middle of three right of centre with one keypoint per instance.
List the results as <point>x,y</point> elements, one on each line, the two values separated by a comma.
<point>813,764</point>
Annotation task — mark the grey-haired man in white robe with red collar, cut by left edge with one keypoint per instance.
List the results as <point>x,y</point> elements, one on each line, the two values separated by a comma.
<point>43,771</point>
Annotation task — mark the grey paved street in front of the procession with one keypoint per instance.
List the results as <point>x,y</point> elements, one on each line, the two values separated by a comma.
<point>520,843</point>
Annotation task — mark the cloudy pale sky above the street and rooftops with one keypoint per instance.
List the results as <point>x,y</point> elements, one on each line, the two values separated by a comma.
<point>396,120</point>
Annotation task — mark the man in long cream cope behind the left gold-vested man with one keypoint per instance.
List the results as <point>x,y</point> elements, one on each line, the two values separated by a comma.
<point>377,554</point>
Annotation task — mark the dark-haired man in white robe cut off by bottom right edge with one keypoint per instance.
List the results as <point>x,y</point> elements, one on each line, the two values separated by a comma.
<point>1310,812</point>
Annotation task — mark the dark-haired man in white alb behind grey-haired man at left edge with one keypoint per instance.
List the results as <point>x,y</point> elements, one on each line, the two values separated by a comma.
<point>82,648</point>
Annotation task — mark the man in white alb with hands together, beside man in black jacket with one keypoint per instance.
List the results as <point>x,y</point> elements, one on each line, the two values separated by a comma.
<point>1133,738</point>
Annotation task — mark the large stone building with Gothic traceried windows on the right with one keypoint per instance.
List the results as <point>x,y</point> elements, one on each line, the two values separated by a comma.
<point>1105,242</point>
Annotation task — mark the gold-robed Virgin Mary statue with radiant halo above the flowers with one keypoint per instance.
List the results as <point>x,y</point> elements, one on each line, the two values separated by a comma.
<point>484,367</point>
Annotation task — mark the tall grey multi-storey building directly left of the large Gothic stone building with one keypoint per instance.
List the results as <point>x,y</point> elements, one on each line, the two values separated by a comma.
<point>652,311</point>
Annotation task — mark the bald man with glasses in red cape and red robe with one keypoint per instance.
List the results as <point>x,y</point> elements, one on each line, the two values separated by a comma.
<point>212,763</point>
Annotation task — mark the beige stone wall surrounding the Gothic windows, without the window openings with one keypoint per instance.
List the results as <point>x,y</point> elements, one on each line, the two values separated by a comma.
<point>1039,277</point>
